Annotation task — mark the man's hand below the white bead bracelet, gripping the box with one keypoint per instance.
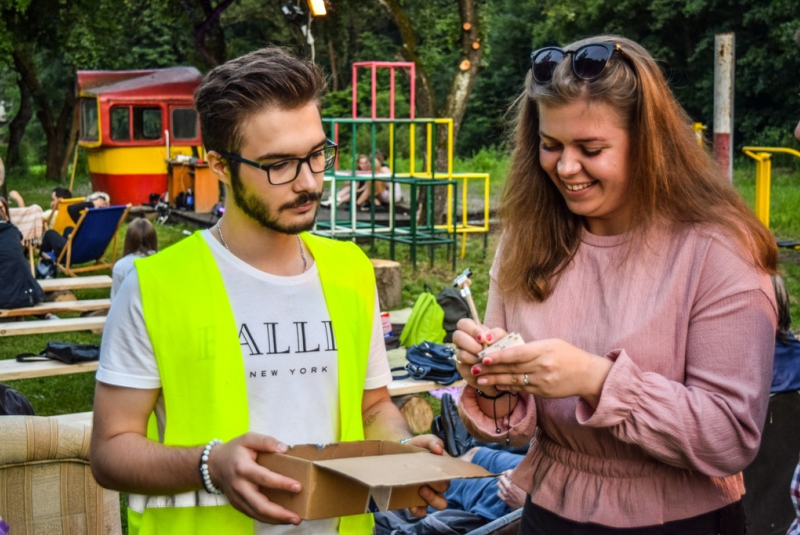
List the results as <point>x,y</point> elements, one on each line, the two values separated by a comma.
<point>233,468</point>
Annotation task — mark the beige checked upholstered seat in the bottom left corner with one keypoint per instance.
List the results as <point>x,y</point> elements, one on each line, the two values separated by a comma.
<point>46,485</point>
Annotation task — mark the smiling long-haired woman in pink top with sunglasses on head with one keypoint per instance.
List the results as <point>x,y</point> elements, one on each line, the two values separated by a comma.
<point>640,283</point>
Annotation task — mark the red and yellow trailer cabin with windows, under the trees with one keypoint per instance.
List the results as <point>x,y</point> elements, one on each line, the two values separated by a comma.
<point>132,124</point>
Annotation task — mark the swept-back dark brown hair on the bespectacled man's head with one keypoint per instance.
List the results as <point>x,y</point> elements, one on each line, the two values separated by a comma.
<point>266,78</point>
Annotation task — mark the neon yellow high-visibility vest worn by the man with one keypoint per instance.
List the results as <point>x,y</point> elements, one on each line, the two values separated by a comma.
<point>194,337</point>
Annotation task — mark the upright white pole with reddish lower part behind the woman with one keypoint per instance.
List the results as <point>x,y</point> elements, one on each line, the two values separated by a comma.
<point>724,61</point>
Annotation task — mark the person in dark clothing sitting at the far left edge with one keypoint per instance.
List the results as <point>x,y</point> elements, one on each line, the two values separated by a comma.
<point>18,288</point>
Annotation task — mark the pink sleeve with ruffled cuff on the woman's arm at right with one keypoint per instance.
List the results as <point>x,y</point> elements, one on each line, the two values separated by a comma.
<point>712,421</point>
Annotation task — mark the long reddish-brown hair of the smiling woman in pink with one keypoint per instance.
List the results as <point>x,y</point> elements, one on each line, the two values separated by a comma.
<point>671,176</point>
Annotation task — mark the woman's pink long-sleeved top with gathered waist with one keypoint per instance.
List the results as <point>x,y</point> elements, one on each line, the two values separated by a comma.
<point>690,327</point>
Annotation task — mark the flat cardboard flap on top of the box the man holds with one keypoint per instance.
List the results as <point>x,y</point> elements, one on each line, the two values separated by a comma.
<point>403,469</point>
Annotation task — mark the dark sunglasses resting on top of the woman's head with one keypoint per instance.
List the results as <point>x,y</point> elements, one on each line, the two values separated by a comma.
<point>588,61</point>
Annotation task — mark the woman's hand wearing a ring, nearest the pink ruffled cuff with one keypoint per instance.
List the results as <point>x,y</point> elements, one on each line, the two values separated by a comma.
<point>547,368</point>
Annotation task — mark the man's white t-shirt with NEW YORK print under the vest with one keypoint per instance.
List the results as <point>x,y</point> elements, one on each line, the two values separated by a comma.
<point>288,350</point>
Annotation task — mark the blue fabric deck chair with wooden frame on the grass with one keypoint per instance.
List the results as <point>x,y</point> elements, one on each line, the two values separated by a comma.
<point>94,231</point>
